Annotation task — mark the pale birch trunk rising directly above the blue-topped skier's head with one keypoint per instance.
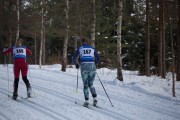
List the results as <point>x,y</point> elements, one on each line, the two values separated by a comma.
<point>93,29</point>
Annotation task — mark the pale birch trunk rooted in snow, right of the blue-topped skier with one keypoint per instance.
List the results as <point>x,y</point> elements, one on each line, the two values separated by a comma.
<point>119,60</point>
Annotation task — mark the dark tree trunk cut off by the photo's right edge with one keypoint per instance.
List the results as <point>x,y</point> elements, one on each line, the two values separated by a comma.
<point>178,46</point>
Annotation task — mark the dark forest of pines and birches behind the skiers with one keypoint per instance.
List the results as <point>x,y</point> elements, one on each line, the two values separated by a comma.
<point>47,24</point>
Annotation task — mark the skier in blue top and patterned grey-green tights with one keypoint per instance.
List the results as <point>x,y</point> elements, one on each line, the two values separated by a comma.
<point>88,60</point>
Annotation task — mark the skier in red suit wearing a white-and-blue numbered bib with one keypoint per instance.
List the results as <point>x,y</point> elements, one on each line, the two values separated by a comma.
<point>19,55</point>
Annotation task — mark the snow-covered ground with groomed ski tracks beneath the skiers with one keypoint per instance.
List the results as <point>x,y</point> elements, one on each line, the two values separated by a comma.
<point>54,96</point>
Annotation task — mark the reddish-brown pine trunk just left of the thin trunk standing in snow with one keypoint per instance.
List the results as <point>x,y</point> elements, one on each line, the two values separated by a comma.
<point>161,61</point>
